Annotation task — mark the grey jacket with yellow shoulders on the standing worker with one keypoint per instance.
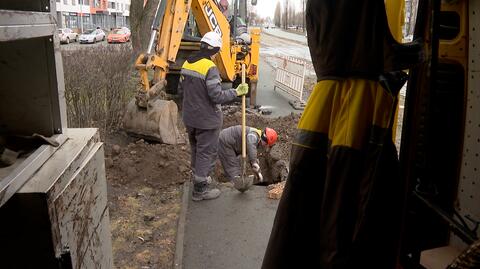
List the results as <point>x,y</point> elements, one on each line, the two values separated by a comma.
<point>200,85</point>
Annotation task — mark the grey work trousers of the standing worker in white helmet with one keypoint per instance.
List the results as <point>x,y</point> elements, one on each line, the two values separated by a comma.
<point>204,147</point>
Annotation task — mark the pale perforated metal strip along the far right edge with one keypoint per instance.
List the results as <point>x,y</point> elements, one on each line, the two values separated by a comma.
<point>469,182</point>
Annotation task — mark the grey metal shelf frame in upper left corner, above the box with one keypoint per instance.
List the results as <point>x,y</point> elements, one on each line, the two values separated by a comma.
<point>24,25</point>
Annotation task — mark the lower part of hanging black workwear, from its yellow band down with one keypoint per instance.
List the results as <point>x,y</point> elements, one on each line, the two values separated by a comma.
<point>343,196</point>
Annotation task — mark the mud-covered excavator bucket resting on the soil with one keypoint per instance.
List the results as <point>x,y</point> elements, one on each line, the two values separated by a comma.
<point>158,121</point>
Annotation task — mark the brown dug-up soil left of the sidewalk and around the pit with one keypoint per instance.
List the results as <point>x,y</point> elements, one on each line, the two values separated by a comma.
<point>144,188</point>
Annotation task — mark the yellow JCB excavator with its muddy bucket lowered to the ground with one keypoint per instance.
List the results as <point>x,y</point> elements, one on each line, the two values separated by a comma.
<point>149,114</point>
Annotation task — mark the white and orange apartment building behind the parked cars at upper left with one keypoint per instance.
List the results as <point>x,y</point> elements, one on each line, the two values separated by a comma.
<point>88,14</point>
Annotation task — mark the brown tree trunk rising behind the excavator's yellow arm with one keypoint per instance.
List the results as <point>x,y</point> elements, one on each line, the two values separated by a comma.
<point>141,19</point>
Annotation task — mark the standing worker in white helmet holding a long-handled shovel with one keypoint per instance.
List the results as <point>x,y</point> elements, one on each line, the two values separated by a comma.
<point>200,85</point>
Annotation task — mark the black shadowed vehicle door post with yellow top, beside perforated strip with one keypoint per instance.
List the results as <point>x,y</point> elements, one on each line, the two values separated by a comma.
<point>432,137</point>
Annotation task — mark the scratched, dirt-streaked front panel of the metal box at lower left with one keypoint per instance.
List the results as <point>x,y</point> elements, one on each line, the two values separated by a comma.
<point>81,214</point>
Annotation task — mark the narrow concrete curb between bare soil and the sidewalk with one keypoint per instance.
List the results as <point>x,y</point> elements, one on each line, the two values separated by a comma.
<point>178,258</point>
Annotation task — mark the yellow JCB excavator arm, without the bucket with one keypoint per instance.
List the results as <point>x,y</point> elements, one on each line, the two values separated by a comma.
<point>208,17</point>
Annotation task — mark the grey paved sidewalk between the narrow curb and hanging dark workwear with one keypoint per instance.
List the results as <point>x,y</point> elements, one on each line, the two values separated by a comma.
<point>229,232</point>
